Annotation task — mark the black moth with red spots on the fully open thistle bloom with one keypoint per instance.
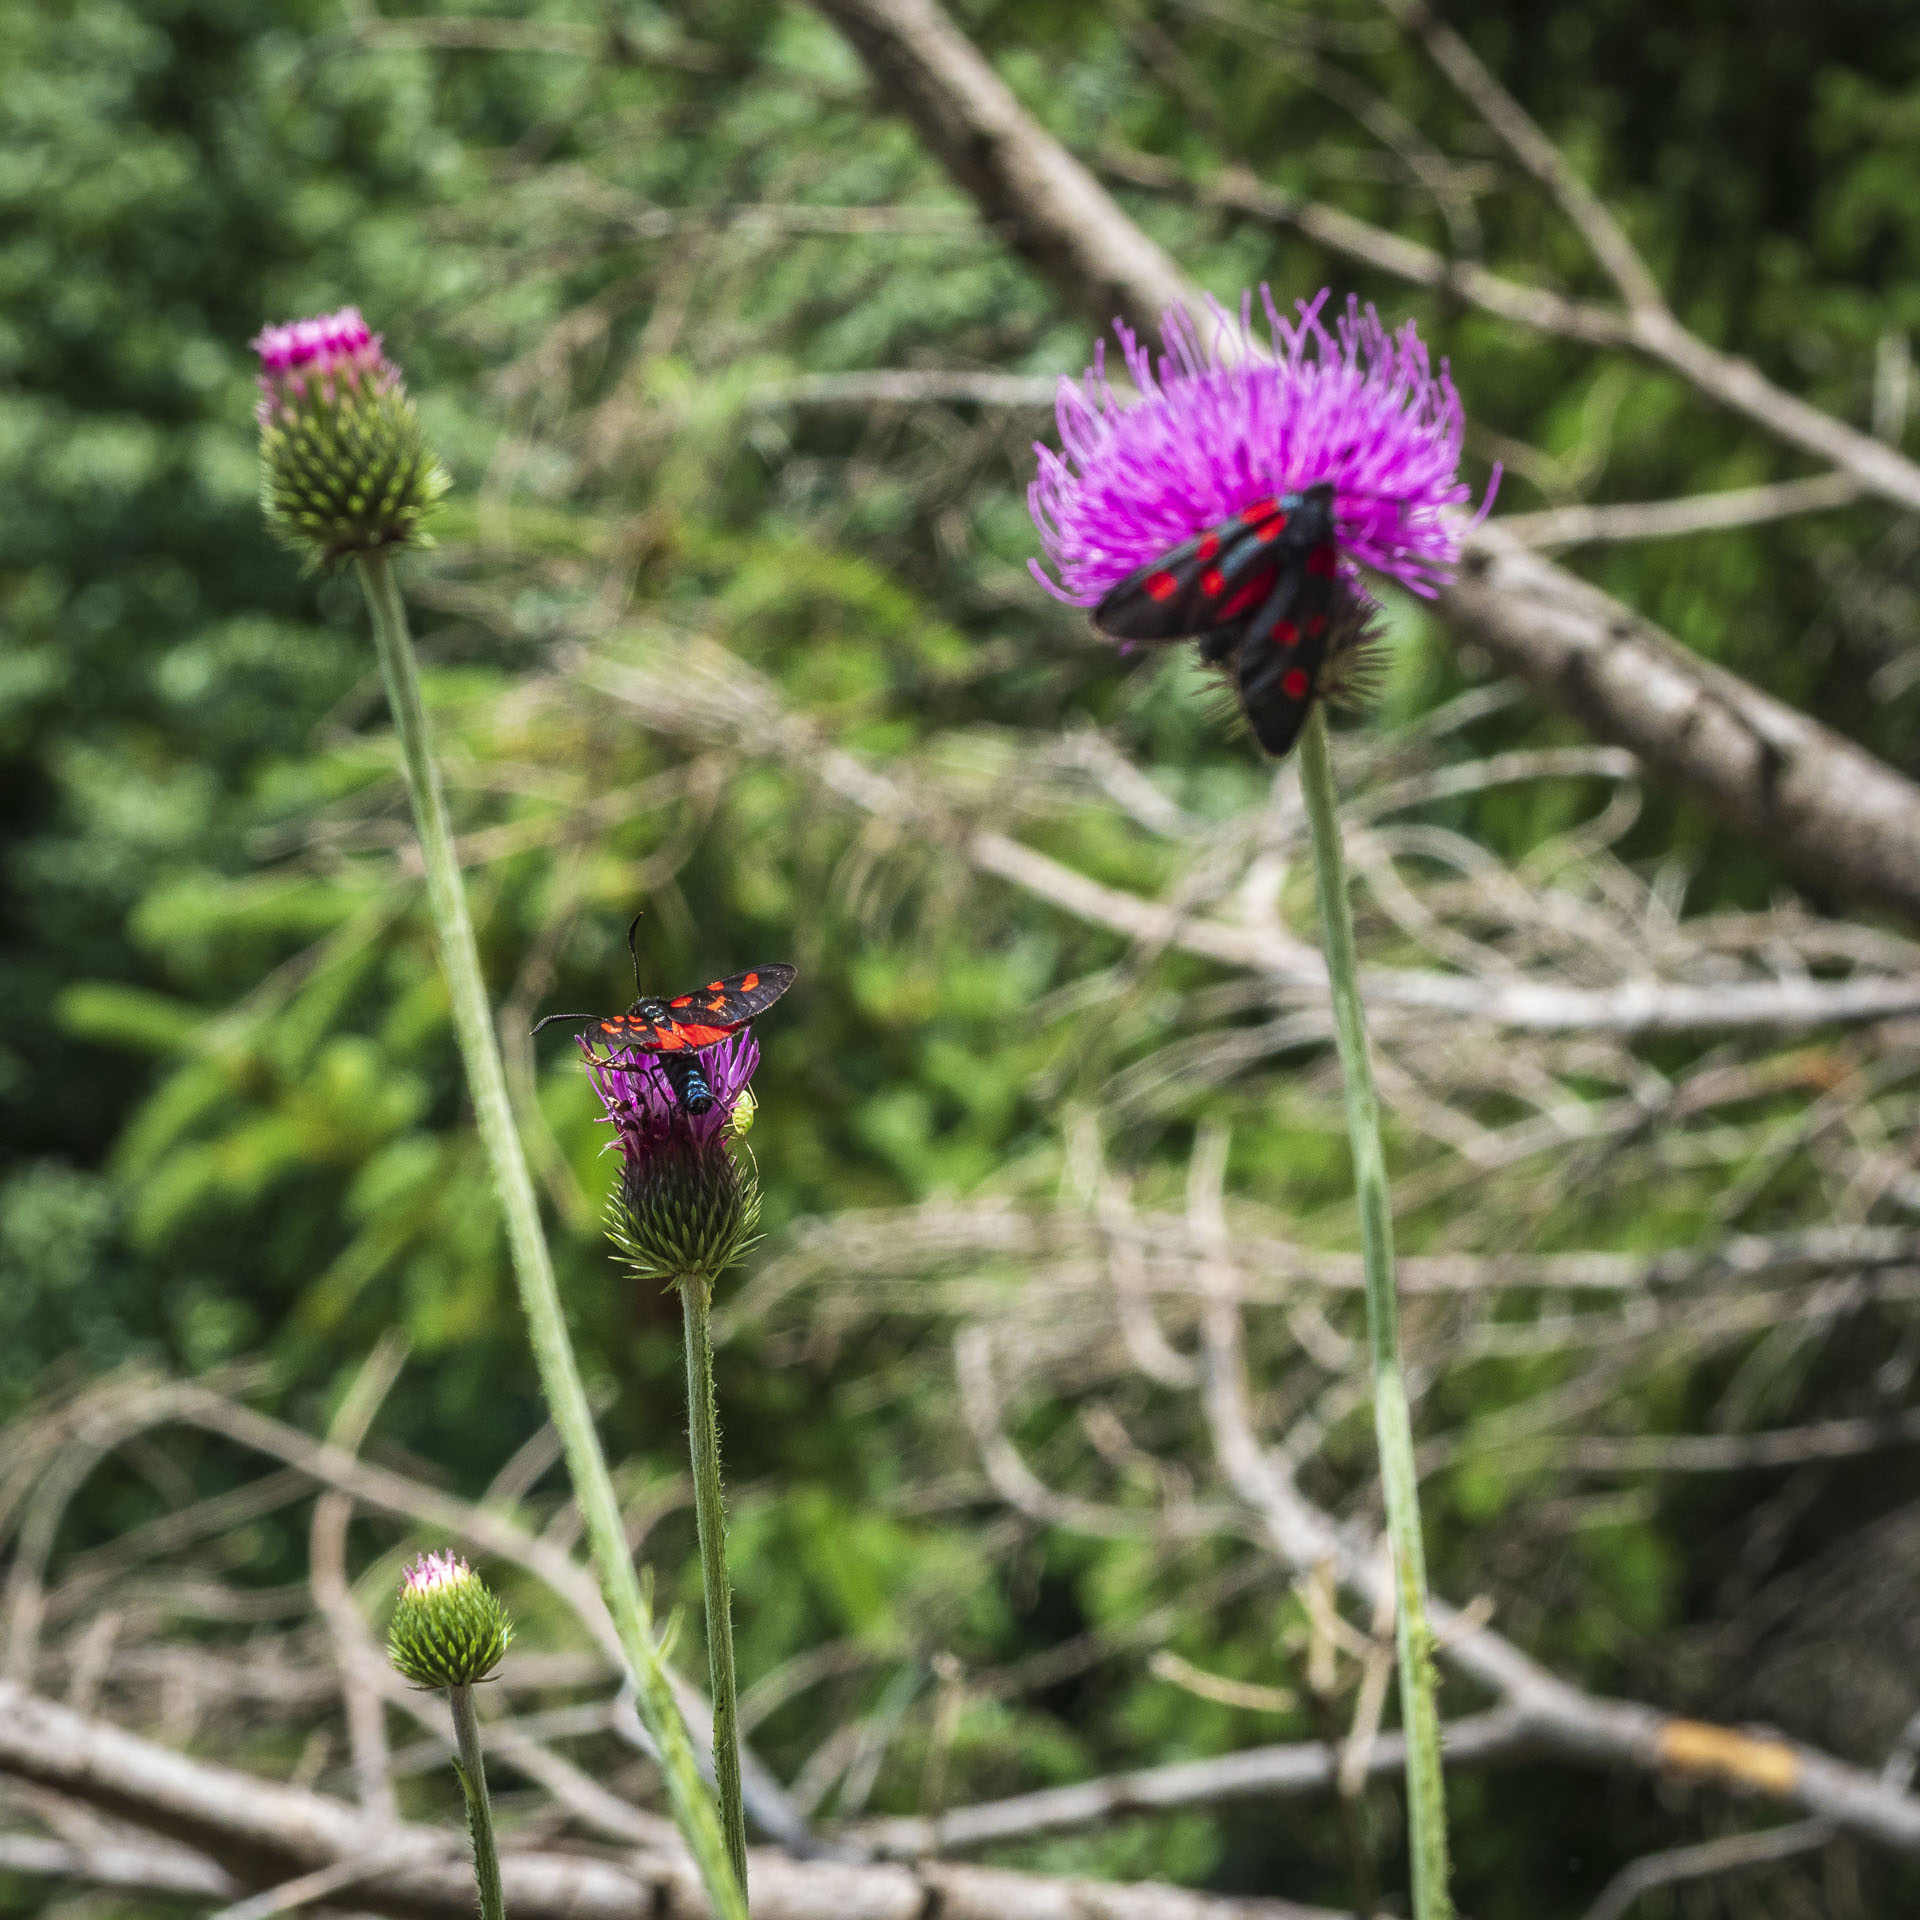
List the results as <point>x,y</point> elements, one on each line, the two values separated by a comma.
<point>1262,596</point>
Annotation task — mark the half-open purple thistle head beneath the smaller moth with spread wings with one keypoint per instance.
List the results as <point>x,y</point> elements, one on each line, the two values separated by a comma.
<point>684,1205</point>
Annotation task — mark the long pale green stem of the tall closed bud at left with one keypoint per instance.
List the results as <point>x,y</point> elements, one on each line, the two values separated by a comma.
<point>540,1299</point>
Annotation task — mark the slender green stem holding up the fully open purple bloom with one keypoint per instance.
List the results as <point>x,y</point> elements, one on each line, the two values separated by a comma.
<point>1391,1420</point>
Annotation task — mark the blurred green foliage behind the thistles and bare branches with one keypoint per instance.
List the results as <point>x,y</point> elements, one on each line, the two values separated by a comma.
<point>229,1099</point>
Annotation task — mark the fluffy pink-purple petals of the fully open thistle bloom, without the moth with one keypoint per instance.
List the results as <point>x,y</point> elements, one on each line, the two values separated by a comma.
<point>1212,435</point>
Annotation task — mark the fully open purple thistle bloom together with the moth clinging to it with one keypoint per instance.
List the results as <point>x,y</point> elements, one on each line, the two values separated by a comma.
<point>1236,500</point>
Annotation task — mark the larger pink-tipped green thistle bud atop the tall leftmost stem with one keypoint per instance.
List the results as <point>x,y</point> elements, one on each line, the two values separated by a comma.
<point>345,466</point>
